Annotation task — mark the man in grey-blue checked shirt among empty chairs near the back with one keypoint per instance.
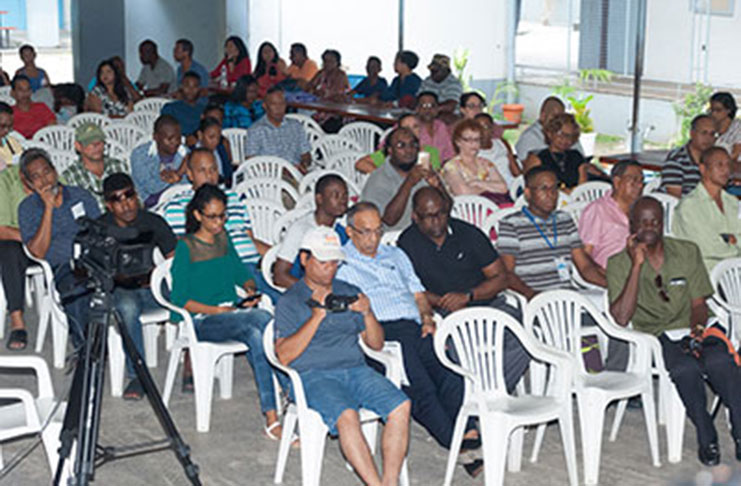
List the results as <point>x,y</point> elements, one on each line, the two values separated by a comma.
<point>273,134</point>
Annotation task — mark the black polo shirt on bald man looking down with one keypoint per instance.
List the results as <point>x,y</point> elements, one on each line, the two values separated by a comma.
<point>454,267</point>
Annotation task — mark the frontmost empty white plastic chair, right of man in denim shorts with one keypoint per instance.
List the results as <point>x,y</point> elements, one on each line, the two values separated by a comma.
<point>477,336</point>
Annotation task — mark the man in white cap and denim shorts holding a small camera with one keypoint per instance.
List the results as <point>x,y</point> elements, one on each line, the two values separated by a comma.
<point>322,346</point>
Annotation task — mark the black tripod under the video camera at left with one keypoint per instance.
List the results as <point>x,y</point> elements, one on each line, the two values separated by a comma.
<point>82,417</point>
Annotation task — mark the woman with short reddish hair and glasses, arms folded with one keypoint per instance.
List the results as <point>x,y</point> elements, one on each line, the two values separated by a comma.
<point>468,172</point>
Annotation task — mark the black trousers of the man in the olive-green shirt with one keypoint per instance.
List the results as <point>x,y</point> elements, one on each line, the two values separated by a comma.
<point>688,374</point>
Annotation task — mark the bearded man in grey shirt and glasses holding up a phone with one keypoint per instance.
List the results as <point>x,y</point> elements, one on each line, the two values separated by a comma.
<point>390,187</point>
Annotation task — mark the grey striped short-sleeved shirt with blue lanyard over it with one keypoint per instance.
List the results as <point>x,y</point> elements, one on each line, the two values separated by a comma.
<point>535,260</point>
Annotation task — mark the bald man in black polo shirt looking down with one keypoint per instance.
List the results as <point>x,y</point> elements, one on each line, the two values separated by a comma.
<point>459,267</point>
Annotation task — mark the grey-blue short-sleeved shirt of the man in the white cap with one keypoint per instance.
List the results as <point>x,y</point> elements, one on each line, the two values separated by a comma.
<point>335,343</point>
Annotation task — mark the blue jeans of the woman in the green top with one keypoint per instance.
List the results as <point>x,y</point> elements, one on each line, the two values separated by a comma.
<point>245,326</point>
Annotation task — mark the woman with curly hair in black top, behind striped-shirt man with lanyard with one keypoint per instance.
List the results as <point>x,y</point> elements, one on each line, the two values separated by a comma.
<point>570,166</point>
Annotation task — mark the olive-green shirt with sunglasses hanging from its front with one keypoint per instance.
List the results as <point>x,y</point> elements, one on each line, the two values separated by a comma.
<point>683,278</point>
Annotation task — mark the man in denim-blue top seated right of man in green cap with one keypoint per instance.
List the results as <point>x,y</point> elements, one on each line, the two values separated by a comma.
<point>155,164</point>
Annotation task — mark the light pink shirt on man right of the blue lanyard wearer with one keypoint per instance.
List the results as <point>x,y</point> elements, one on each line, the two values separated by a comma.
<point>604,226</point>
